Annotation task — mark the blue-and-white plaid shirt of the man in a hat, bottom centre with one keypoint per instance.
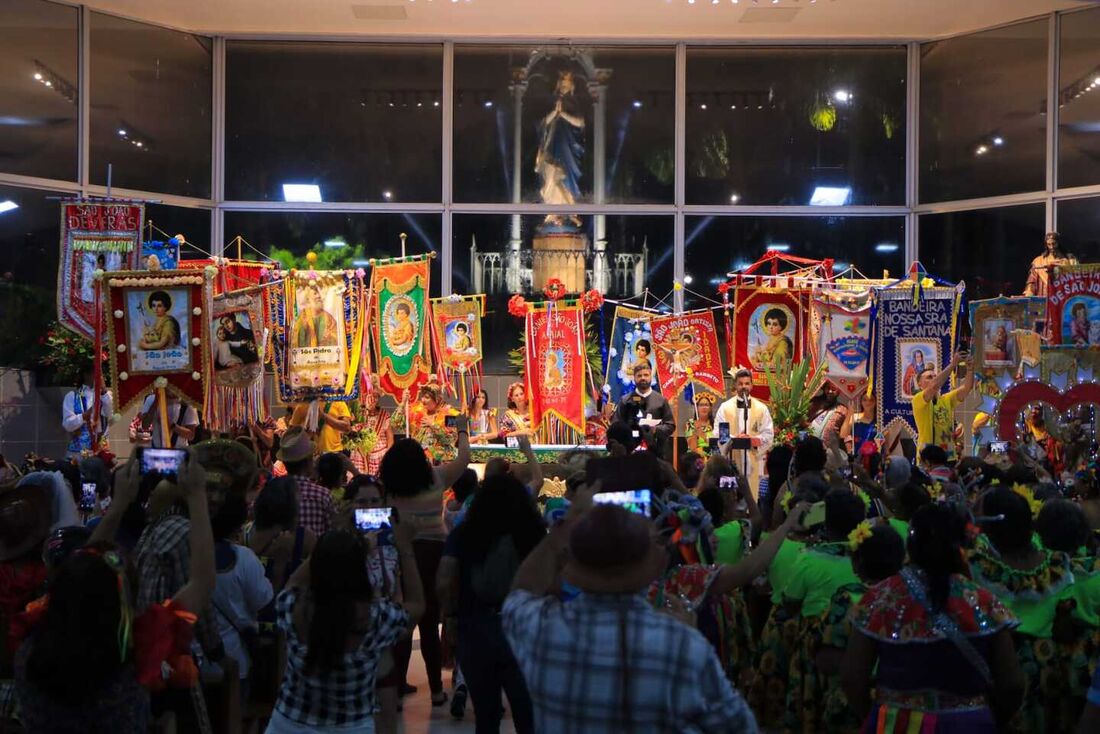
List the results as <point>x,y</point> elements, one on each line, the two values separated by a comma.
<point>573,658</point>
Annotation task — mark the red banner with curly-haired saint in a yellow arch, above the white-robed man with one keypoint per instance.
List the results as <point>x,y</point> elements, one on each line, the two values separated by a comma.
<point>768,331</point>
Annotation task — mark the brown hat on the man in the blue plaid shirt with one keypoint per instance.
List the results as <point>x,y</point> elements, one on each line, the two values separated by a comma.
<point>612,552</point>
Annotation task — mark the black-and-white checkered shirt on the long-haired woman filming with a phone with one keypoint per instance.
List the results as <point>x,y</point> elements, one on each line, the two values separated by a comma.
<point>344,697</point>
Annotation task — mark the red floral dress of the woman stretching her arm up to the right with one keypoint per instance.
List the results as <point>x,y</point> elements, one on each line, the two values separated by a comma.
<point>723,620</point>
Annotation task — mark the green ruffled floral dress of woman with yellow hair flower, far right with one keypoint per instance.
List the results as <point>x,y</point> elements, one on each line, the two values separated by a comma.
<point>1055,641</point>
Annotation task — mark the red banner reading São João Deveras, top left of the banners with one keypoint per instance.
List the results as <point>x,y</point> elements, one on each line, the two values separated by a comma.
<point>95,237</point>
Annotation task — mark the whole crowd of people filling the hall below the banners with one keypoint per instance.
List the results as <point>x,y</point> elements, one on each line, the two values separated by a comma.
<point>288,567</point>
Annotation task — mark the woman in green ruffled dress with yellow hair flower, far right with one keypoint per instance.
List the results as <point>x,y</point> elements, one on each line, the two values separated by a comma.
<point>1057,628</point>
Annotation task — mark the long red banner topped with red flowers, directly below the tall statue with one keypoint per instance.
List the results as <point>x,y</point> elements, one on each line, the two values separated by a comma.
<point>555,365</point>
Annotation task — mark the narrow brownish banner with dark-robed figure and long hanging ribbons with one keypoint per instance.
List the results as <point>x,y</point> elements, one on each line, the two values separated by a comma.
<point>237,330</point>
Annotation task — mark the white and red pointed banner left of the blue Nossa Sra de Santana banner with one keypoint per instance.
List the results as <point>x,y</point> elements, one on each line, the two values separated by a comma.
<point>841,325</point>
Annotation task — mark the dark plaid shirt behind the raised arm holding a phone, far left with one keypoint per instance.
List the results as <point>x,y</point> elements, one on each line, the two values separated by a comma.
<point>164,561</point>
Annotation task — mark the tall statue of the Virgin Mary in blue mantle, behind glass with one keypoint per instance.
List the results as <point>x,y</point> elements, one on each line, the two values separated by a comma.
<point>562,151</point>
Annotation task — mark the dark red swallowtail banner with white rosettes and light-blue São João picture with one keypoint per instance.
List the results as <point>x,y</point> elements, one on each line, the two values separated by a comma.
<point>159,334</point>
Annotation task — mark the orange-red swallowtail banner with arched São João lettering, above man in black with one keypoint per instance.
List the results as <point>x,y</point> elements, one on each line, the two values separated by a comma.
<point>687,348</point>
